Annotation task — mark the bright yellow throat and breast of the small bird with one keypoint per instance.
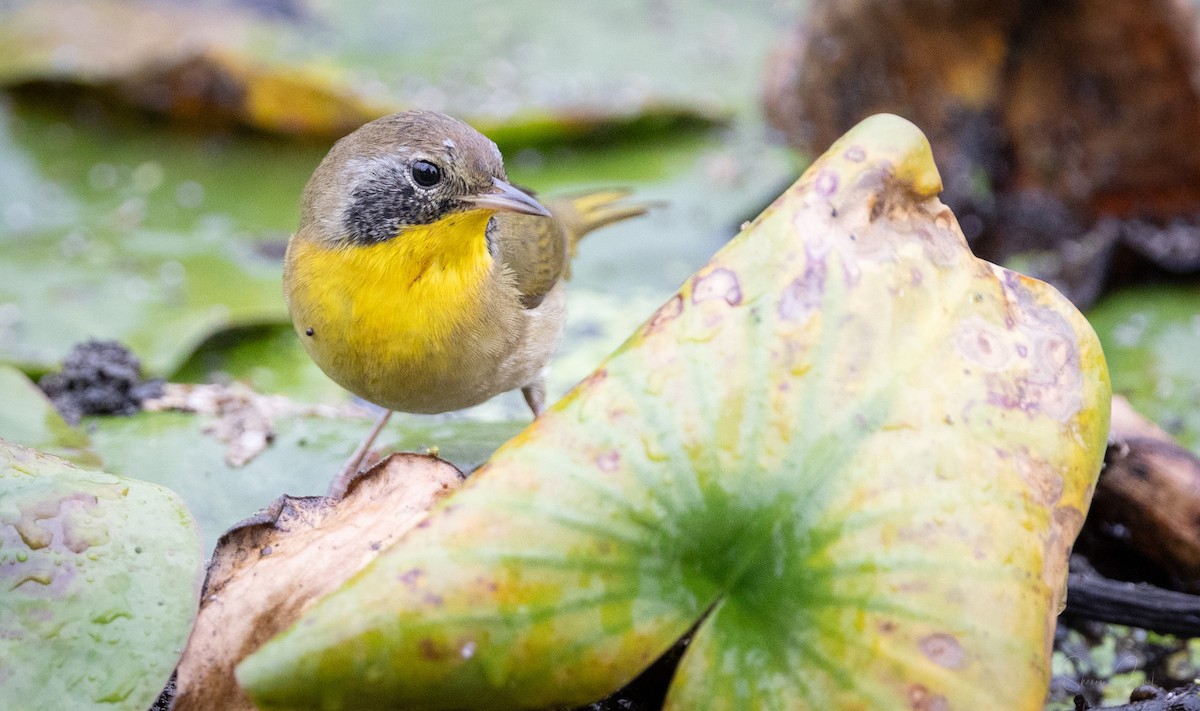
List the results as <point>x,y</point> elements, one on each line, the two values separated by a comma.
<point>391,315</point>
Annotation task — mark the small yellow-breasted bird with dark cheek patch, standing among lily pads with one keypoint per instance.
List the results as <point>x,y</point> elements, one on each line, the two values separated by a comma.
<point>422,280</point>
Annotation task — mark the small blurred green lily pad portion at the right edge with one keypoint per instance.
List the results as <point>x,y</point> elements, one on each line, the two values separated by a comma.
<point>1150,336</point>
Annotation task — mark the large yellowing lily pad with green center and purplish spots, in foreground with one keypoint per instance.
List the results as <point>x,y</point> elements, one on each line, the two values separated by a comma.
<point>850,452</point>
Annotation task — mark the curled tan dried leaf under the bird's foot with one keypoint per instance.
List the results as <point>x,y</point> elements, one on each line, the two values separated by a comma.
<point>268,570</point>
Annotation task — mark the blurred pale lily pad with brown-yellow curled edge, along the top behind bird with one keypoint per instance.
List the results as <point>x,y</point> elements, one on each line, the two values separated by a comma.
<point>527,75</point>
